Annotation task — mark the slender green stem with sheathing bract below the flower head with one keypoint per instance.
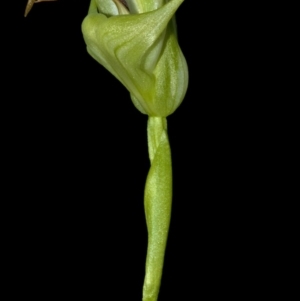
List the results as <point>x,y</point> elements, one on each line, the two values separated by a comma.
<point>158,201</point>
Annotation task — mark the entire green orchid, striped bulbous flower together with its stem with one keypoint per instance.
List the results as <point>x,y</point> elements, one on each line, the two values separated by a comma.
<point>136,41</point>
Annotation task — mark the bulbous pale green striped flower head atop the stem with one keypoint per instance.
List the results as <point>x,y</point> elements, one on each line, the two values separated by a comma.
<point>140,50</point>
